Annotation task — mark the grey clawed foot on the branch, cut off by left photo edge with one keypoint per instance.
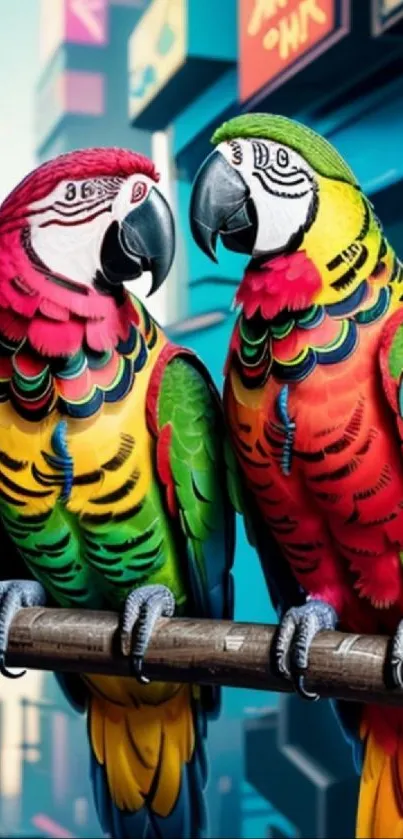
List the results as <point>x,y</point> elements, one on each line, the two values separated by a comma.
<point>16,595</point>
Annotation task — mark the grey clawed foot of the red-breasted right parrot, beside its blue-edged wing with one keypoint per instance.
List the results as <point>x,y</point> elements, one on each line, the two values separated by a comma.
<point>295,634</point>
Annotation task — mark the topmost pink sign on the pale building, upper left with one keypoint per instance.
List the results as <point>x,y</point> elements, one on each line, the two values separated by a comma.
<point>72,21</point>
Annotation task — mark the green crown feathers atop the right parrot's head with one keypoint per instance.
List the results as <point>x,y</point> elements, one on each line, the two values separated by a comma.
<point>323,158</point>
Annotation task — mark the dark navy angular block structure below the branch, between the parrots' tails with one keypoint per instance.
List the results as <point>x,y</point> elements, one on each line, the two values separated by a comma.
<point>296,759</point>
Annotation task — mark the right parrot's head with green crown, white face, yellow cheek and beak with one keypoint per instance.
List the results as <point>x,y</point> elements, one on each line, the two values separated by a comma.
<point>273,186</point>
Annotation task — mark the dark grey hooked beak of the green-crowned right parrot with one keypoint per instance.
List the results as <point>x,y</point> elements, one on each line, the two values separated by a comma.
<point>221,205</point>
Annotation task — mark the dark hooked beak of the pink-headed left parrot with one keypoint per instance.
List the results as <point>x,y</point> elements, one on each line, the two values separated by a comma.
<point>147,235</point>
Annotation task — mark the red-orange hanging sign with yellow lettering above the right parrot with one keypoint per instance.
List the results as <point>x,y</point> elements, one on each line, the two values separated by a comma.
<point>279,37</point>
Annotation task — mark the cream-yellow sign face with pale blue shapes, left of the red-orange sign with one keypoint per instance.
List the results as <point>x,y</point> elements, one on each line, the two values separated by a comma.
<point>157,49</point>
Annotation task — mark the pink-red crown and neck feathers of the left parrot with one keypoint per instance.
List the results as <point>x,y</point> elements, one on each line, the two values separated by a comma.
<point>57,320</point>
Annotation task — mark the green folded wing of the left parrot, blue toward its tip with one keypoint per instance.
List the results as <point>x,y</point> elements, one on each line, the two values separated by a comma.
<point>191,463</point>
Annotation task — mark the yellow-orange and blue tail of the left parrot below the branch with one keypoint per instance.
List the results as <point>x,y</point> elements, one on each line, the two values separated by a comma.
<point>149,768</point>
